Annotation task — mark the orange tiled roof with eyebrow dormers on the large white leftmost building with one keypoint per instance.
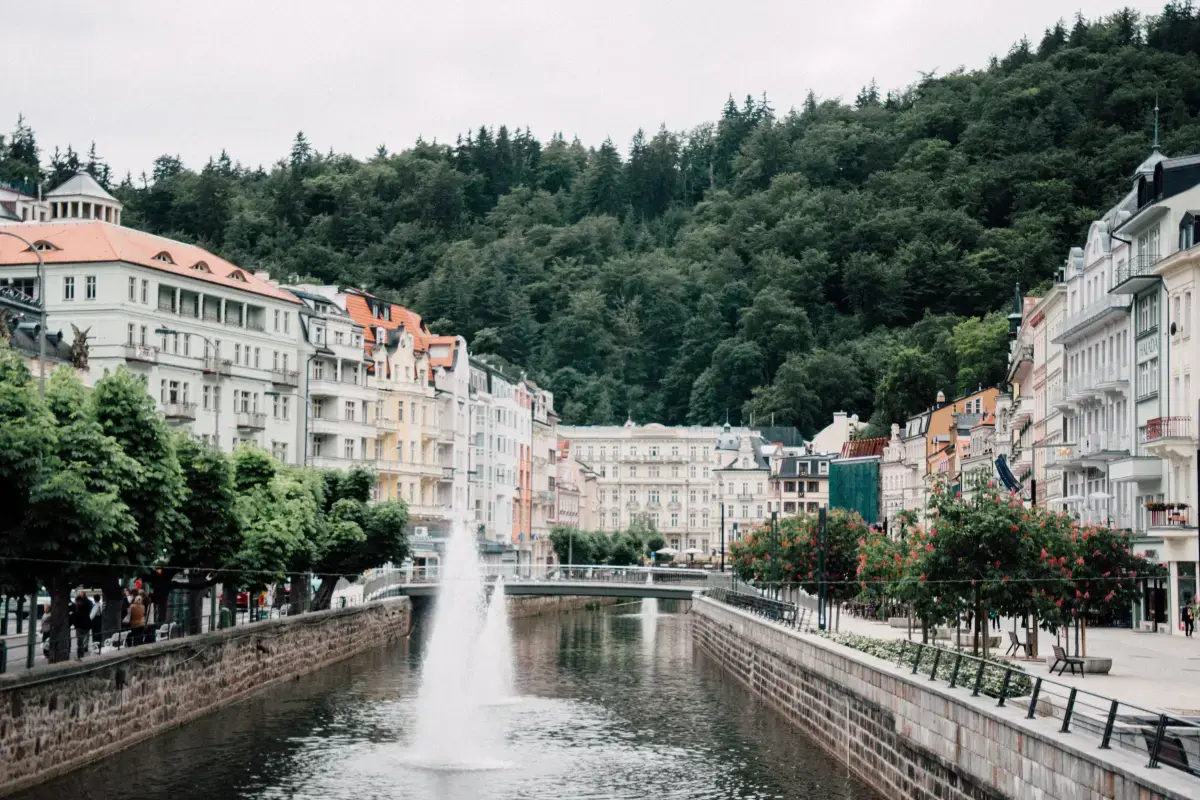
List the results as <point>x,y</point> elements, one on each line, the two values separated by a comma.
<point>94,242</point>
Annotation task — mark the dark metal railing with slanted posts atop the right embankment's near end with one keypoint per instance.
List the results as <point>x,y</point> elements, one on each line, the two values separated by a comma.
<point>1166,739</point>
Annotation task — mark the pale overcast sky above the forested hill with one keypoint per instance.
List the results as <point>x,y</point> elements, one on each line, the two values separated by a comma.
<point>147,77</point>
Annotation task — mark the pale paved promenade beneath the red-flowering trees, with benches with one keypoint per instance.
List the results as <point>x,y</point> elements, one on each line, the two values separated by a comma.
<point>1154,671</point>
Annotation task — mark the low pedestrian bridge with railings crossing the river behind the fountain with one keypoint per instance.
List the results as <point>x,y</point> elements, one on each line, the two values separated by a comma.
<point>587,581</point>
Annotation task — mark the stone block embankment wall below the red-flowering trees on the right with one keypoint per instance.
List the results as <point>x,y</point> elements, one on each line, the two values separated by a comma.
<point>909,738</point>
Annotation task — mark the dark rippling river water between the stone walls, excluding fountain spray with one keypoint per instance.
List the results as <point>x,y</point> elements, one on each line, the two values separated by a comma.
<point>614,706</point>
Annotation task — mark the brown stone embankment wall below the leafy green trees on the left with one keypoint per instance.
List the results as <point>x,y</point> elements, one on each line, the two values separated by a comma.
<point>57,719</point>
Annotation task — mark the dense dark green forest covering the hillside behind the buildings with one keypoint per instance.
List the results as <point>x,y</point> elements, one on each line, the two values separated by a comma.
<point>836,257</point>
